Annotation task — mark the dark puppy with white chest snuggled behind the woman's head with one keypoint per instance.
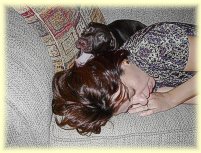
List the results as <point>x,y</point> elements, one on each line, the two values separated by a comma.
<point>98,38</point>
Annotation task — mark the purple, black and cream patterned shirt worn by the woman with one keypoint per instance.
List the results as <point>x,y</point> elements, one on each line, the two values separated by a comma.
<point>161,50</point>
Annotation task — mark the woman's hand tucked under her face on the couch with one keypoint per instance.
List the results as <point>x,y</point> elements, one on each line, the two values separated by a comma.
<point>157,102</point>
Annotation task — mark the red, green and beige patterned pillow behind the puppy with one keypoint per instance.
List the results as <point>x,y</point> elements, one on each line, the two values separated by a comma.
<point>59,28</point>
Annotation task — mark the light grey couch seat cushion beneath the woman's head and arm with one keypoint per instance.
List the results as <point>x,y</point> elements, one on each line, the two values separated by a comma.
<point>175,127</point>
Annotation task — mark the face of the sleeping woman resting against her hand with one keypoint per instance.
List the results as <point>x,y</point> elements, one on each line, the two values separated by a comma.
<point>139,85</point>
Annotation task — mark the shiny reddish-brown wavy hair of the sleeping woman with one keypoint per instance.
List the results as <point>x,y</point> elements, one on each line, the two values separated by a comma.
<point>83,95</point>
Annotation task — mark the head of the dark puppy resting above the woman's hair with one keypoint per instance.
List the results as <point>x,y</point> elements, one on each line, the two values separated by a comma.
<point>95,39</point>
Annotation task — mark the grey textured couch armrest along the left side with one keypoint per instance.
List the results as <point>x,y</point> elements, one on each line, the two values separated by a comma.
<point>29,76</point>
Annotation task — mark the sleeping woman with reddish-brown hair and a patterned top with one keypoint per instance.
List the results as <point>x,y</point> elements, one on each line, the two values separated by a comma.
<point>155,70</point>
